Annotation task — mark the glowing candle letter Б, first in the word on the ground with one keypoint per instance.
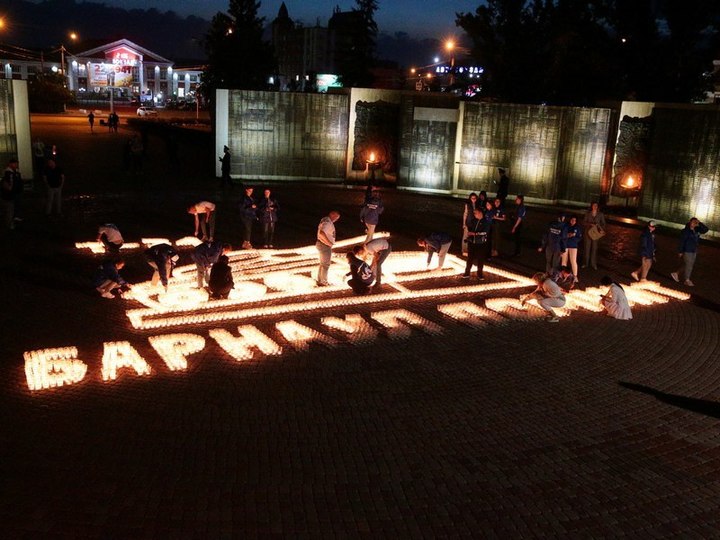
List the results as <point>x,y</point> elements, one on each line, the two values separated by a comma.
<point>48,368</point>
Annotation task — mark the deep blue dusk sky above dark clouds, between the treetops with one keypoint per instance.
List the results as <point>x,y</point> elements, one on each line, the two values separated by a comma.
<point>419,18</point>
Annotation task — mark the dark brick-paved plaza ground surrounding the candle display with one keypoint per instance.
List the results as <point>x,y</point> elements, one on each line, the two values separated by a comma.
<point>499,426</point>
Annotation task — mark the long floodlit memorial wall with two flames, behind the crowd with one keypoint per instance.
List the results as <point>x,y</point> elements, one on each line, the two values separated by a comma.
<point>436,143</point>
